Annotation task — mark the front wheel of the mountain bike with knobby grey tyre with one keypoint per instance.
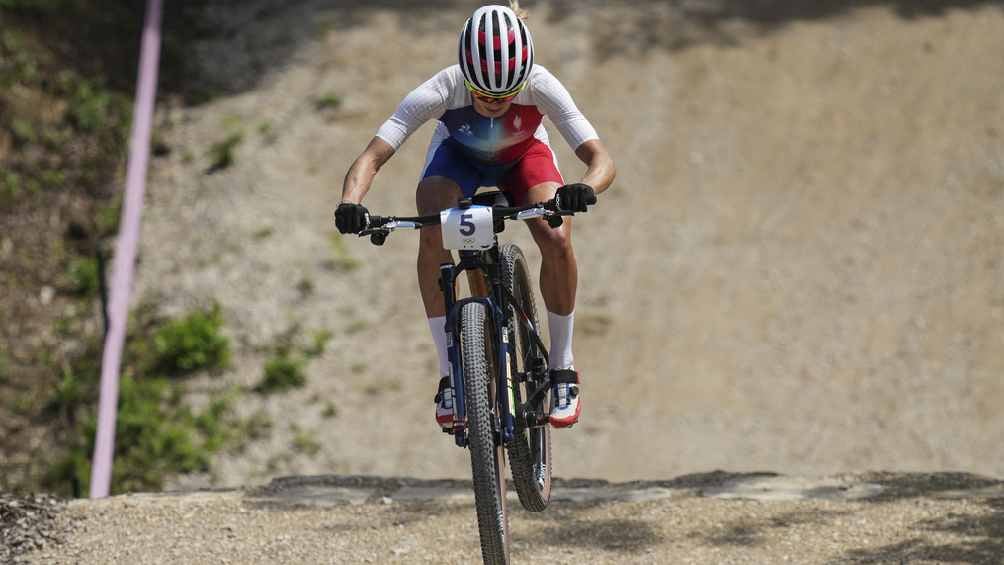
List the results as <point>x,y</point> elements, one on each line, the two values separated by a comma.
<point>487,453</point>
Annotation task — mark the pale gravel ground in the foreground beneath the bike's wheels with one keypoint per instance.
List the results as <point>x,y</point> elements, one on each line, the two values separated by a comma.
<point>714,518</point>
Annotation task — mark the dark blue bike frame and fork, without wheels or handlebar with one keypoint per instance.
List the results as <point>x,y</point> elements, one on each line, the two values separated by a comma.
<point>497,305</point>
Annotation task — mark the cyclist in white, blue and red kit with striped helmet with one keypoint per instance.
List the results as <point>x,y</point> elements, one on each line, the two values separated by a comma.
<point>490,107</point>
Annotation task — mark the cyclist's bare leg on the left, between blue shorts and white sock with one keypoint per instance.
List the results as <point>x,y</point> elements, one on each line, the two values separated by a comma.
<point>434,194</point>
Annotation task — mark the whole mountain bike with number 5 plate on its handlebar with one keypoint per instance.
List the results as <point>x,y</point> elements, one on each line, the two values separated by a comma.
<point>498,363</point>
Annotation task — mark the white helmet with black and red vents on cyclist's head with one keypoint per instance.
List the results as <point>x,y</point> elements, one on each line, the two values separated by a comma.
<point>503,69</point>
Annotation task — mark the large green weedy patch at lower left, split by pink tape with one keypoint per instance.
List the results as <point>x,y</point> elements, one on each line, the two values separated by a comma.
<point>158,434</point>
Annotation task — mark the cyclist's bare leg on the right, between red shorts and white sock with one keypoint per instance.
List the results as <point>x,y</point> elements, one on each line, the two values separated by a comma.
<point>559,270</point>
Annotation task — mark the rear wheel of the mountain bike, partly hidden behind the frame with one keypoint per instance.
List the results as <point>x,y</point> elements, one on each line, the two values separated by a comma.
<point>531,450</point>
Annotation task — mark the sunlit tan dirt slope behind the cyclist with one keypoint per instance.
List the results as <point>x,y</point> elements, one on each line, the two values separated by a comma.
<point>799,269</point>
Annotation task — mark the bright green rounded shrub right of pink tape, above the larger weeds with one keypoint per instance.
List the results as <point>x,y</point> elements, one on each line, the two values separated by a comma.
<point>192,344</point>
